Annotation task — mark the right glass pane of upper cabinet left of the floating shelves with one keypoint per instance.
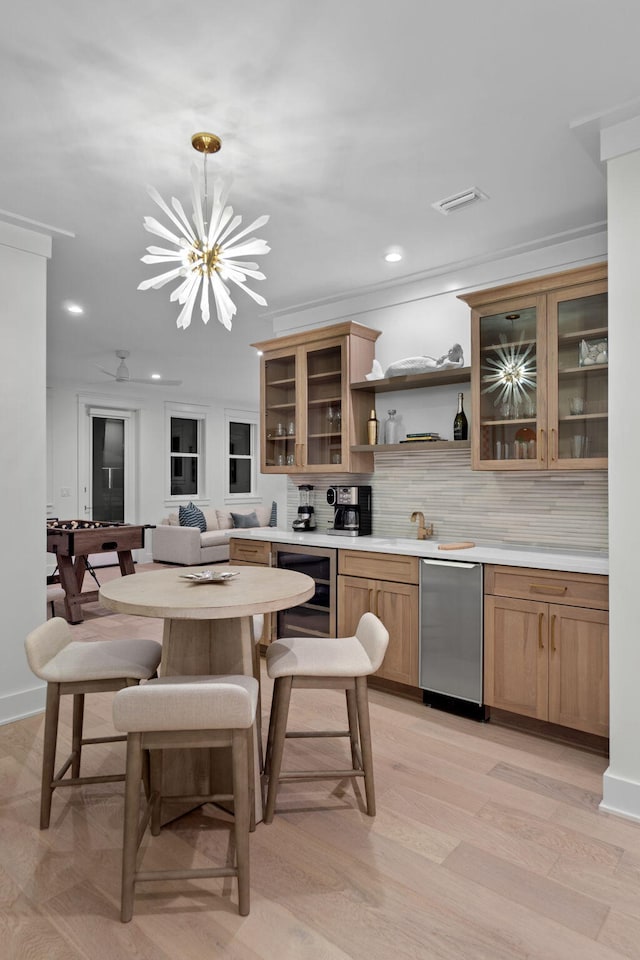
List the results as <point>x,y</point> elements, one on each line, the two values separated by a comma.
<point>324,406</point>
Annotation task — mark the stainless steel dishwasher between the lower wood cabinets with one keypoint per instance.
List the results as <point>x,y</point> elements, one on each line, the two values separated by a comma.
<point>451,636</point>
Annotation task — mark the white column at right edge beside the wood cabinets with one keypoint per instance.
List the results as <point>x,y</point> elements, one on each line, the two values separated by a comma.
<point>621,148</point>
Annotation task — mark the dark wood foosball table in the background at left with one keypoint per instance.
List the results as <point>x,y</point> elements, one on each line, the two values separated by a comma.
<point>73,541</point>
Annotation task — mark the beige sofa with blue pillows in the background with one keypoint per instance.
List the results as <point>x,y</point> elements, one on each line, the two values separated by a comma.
<point>189,546</point>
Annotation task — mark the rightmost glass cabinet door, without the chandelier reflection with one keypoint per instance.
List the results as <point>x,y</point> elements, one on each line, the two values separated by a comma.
<point>580,374</point>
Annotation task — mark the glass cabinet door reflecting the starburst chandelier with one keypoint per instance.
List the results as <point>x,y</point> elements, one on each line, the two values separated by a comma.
<point>509,386</point>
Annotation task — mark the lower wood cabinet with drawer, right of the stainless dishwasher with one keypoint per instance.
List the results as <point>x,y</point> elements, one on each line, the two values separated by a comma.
<point>546,646</point>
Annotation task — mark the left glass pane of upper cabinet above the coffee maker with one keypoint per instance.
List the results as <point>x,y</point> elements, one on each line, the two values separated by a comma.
<point>280,420</point>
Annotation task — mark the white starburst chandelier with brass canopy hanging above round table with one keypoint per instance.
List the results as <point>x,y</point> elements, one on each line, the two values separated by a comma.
<point>207,247</point>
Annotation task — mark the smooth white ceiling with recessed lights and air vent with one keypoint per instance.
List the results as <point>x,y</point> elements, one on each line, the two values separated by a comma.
<point>343,119</point>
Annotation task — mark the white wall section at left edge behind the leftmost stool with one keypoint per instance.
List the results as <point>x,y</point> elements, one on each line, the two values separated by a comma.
<point>23,262</point>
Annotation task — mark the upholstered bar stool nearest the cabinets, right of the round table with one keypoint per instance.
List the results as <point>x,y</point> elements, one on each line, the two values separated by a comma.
<point>318,662</point>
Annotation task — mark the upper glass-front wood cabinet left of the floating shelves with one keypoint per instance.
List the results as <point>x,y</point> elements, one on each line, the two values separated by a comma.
<point>310,420</point>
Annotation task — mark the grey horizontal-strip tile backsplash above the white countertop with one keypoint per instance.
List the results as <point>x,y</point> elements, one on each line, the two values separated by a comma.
<point>563,509</point>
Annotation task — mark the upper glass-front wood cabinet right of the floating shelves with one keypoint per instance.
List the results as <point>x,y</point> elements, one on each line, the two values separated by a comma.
<point>539,373</point>
